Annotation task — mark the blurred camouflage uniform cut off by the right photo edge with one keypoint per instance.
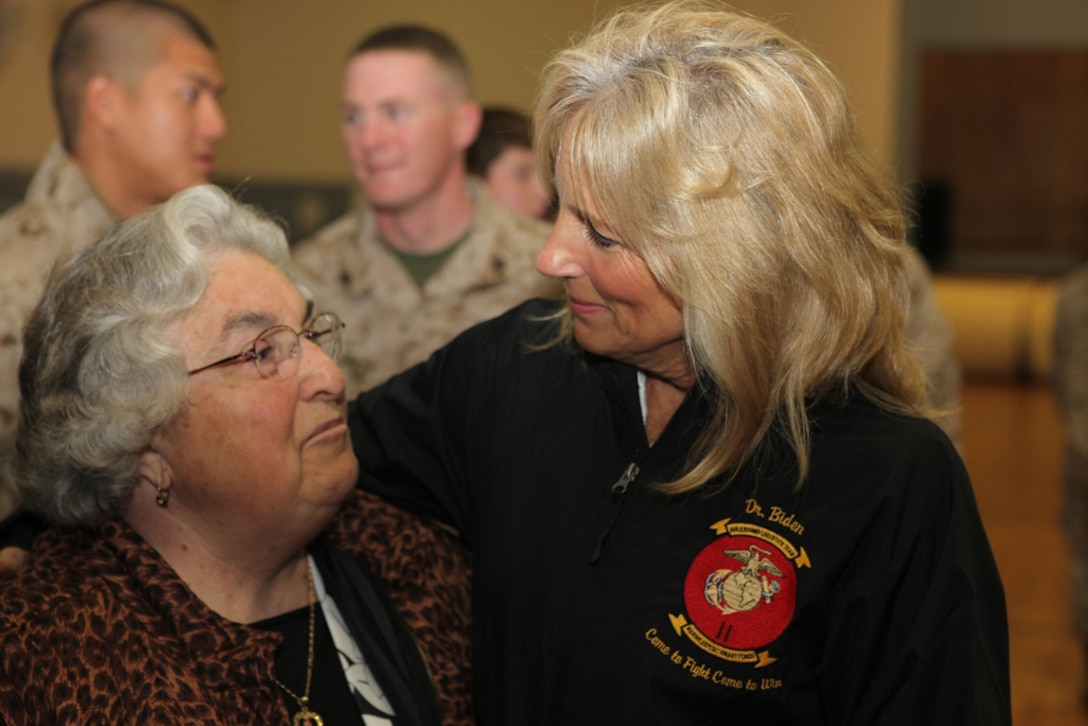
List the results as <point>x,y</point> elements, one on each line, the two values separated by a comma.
<point>1071,388</point>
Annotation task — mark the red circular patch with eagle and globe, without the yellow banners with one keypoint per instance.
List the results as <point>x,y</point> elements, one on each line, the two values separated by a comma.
<point>740,593</point>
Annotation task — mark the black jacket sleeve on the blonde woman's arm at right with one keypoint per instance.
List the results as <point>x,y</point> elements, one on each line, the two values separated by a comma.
<point>920,633</point>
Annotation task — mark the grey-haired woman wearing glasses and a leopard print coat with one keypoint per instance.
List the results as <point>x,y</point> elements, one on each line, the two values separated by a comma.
<point>183,426</point>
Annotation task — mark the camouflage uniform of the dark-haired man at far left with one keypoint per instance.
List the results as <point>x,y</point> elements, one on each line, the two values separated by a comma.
<point>61,214</point>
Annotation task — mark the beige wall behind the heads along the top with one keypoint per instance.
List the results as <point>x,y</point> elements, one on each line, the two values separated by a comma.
<point>283,61</point>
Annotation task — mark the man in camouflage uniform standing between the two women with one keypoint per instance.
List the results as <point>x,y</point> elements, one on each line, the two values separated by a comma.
<point>429,254</point>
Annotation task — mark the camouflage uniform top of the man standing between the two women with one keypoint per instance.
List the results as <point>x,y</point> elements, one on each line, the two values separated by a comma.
<point>391,324</point>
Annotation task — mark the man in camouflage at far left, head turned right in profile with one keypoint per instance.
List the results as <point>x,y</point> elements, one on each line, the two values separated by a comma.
<point>135,88</point>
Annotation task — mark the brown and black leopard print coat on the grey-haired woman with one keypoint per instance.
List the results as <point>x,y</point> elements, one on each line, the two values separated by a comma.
<point>98,630</point>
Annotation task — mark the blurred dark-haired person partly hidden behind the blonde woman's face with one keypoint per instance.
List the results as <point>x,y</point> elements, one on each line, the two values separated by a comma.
<point>503,157</point>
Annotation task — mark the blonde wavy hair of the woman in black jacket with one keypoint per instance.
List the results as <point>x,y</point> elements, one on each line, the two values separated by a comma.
<point>726,154</point>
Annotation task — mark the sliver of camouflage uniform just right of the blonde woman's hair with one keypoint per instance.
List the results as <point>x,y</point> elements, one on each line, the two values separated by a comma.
<point>930,338</point>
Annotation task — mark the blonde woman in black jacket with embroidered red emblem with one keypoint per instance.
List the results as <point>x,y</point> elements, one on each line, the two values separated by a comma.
<point>703,489</point>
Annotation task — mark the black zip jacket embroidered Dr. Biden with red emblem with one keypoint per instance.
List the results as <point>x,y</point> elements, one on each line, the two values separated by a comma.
<point>869,596</point>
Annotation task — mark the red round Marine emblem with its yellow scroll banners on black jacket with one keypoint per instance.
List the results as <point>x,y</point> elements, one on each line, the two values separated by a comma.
<point>740,593</point>
